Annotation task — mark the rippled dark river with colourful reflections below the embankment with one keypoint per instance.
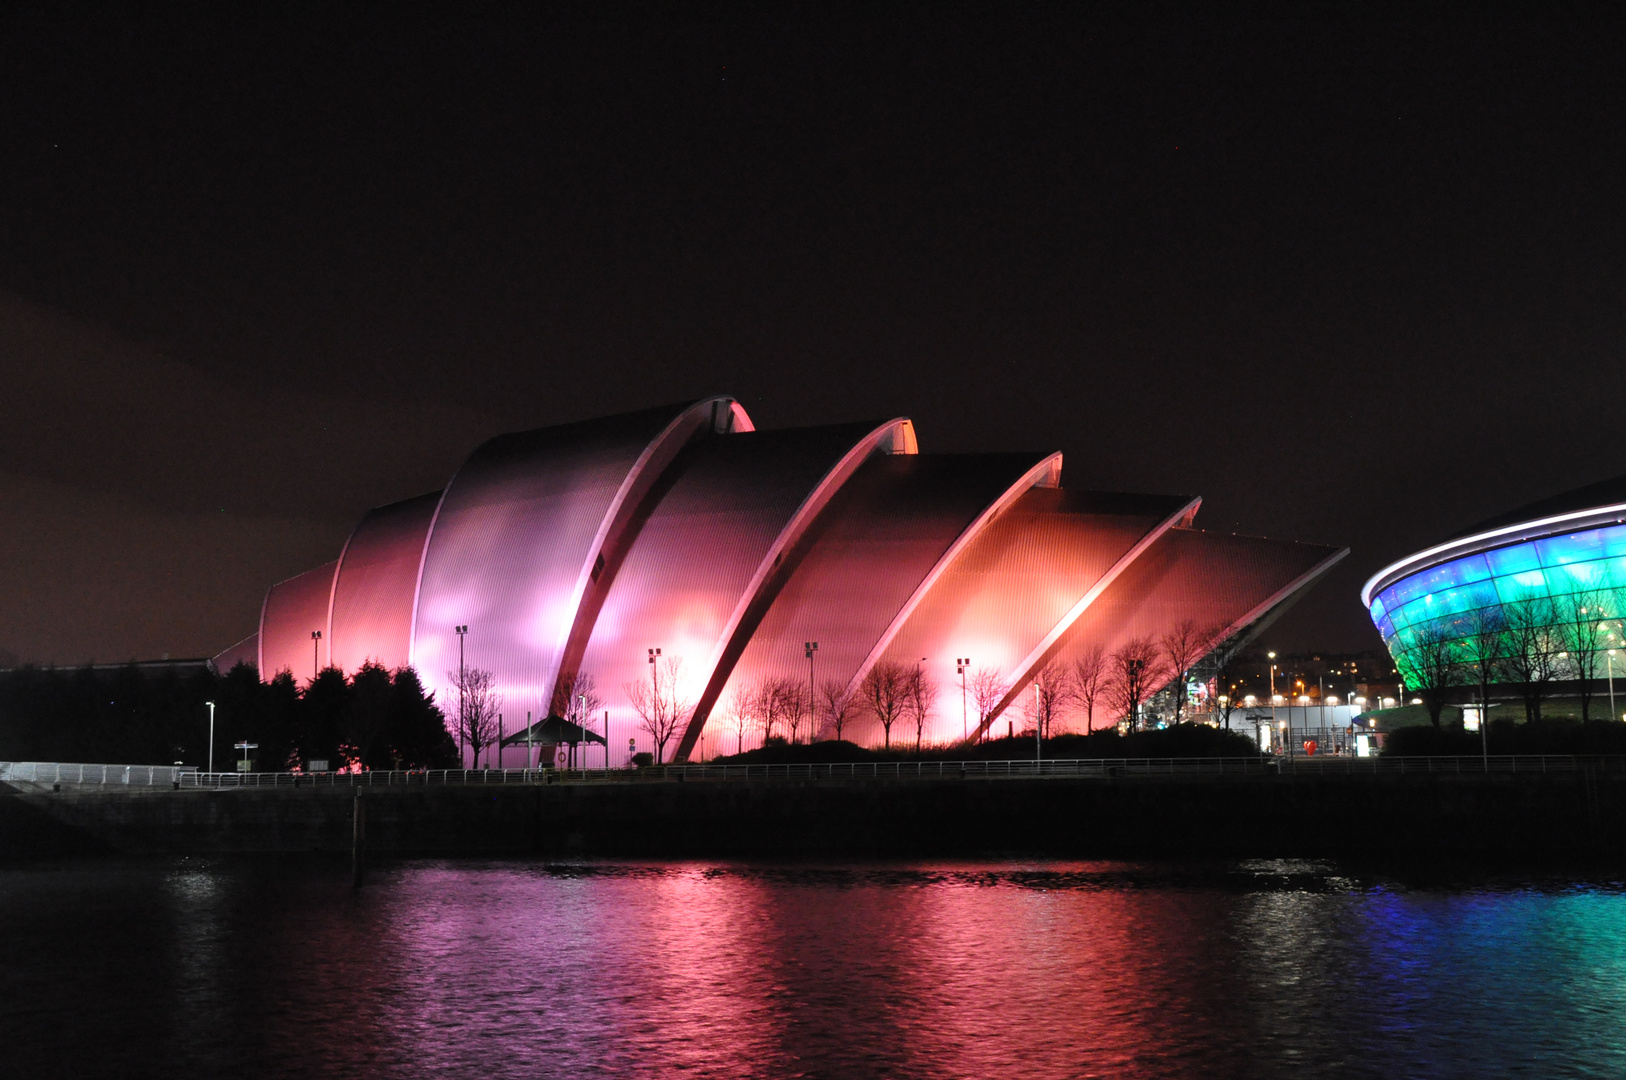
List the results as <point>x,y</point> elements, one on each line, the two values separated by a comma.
<point>188,967</point>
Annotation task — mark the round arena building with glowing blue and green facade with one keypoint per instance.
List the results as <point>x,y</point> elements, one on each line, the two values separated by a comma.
<point>1537,573</point>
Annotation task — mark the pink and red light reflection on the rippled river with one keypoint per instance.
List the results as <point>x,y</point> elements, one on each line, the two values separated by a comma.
<point>716,970</point>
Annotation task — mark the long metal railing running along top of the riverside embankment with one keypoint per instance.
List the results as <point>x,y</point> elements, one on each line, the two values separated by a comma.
<point>1258,765</point>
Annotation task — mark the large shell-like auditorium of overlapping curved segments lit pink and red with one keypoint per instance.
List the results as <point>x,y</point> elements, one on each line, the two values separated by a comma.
<point>581,547</point>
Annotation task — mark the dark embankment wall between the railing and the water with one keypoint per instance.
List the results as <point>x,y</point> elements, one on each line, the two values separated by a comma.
<point>1072,817</point>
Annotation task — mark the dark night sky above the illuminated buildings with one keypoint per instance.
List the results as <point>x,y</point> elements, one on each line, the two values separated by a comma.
<point>1354,282</point>
